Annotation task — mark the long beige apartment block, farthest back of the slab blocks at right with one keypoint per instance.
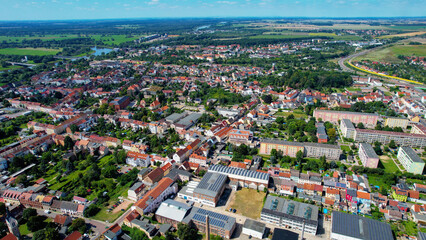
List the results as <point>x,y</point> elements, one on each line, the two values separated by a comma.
<point>368,119</point>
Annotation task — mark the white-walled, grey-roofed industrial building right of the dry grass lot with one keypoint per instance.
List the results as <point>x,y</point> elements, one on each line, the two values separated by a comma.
<point>288,213</point>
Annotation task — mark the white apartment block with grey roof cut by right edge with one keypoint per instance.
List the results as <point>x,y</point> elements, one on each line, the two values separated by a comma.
<point>410,160</point>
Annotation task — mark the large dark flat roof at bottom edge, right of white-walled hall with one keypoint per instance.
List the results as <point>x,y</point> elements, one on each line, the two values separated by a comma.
<point>360,227</point>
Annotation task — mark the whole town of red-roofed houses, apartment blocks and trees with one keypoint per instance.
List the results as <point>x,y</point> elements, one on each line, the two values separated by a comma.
<point>203,141</point>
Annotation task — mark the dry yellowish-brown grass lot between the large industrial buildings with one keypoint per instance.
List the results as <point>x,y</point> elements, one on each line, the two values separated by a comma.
<point>248,202</point>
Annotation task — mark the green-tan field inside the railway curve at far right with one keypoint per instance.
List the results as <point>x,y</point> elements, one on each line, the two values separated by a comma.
<point>390,54</point>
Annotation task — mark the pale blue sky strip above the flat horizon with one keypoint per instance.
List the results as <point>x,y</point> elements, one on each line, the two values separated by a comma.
<point>112,9</point>
